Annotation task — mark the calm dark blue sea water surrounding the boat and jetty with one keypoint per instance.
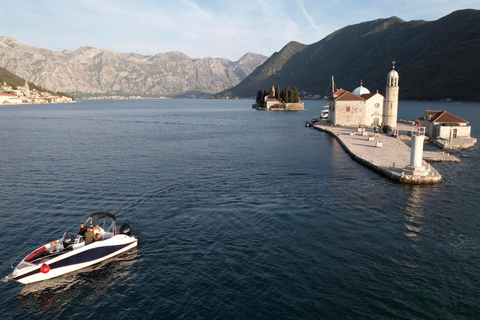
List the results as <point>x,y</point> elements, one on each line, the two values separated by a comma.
<point>239,213</point>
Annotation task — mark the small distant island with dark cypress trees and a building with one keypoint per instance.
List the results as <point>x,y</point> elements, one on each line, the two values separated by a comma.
<point>275,100</point>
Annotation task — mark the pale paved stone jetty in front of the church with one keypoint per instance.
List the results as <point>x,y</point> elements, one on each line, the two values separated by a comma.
<point>380,152</point>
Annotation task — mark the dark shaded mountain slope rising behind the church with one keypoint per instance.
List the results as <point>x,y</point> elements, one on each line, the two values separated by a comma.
<point>435,60</point>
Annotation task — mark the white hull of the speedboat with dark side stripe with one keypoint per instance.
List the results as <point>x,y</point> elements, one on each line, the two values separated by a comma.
<point>76,259</point>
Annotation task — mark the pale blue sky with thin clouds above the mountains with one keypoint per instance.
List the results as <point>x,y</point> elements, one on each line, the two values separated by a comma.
<point>199,28</point>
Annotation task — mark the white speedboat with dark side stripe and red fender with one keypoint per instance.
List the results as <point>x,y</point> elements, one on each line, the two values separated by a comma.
<point>71,253</point>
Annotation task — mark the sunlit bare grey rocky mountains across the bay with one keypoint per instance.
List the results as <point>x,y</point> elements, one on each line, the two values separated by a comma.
<point>90,71</point>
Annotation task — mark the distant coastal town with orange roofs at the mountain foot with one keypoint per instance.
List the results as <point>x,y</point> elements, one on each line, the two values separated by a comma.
<point>23,95</point>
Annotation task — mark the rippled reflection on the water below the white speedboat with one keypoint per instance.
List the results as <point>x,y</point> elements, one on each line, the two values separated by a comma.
<point>86,284</point>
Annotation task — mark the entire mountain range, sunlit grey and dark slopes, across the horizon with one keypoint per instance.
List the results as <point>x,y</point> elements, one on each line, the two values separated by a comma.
<point>435,60</point>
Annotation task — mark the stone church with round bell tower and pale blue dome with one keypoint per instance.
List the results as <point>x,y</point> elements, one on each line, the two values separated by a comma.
<point>365,109</point>
